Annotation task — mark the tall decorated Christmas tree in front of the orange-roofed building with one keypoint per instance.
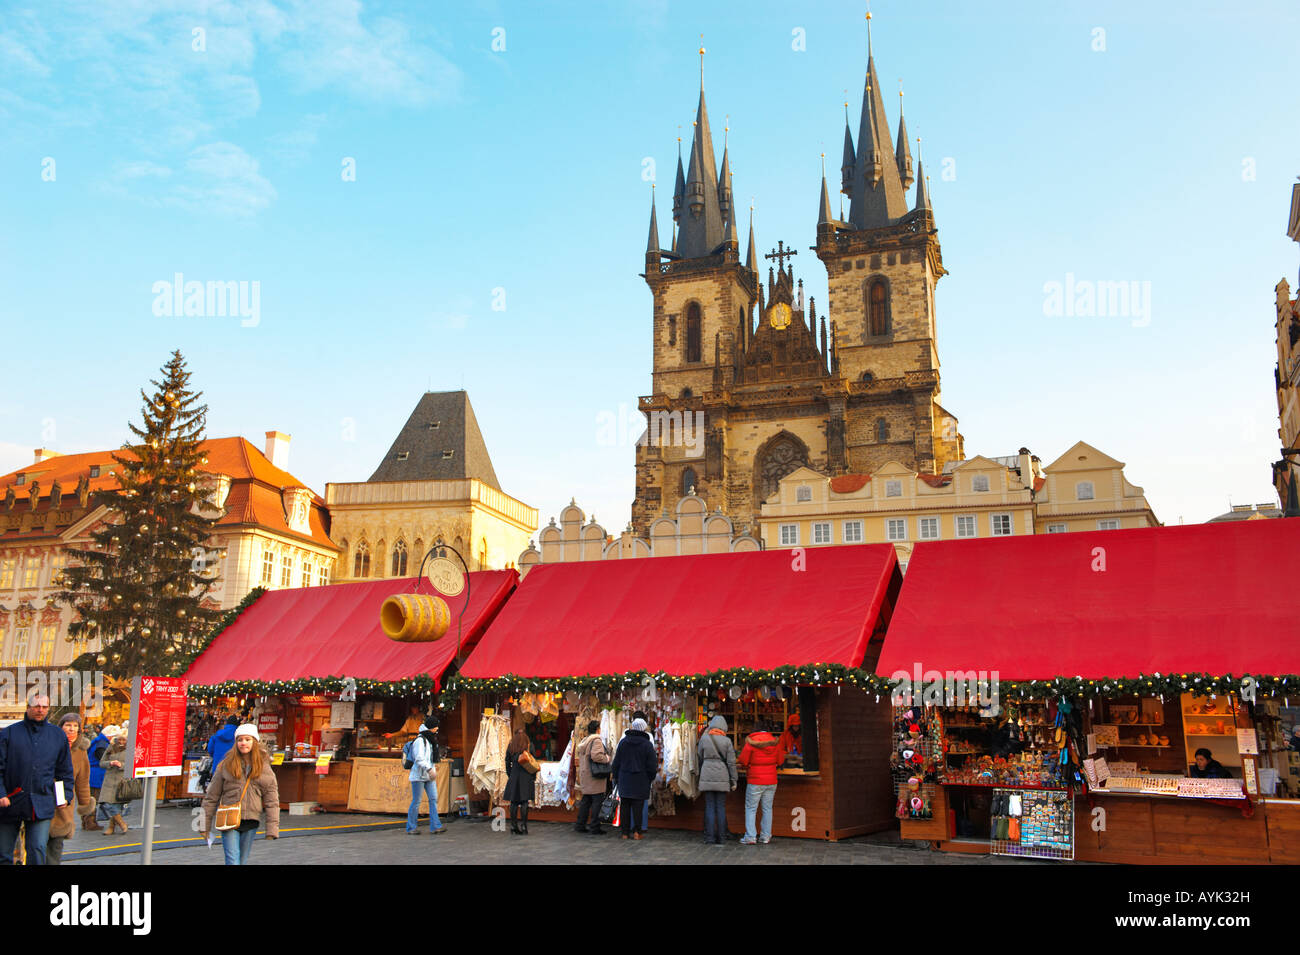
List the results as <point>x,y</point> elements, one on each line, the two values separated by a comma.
<point>141,587</point>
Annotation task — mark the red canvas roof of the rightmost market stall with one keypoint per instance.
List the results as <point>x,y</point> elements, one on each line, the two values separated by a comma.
<point>1208,598</point>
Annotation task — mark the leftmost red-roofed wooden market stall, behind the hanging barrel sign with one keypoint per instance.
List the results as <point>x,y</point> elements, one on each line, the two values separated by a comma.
<point>335,700</point>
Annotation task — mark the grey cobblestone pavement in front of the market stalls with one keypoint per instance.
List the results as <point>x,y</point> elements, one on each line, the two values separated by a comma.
<point>358,840</point>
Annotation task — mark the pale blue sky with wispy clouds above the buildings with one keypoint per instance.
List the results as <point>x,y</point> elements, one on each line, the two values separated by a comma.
<point>1160,151</point>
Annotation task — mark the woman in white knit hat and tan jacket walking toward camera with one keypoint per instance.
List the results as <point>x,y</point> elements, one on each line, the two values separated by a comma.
<point>244,779</point>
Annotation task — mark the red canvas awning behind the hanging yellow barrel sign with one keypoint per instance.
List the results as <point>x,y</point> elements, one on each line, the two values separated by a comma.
<point>335,632</point>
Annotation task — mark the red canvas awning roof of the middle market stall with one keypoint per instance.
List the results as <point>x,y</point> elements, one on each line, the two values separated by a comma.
<point>691,615</point>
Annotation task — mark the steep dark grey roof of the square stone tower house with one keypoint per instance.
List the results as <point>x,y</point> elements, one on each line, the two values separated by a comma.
<point>424,445</point>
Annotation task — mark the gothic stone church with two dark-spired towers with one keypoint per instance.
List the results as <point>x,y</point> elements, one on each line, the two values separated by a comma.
<point>747,385</point>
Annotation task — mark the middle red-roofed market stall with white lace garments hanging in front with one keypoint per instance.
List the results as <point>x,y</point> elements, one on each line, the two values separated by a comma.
<point>766,636</point>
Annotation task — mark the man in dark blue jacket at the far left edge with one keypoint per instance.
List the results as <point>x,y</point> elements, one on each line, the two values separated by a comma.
<point>33,758</point>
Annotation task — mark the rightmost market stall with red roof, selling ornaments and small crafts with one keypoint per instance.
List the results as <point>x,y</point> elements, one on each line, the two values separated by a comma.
<point>1124,702</point>
